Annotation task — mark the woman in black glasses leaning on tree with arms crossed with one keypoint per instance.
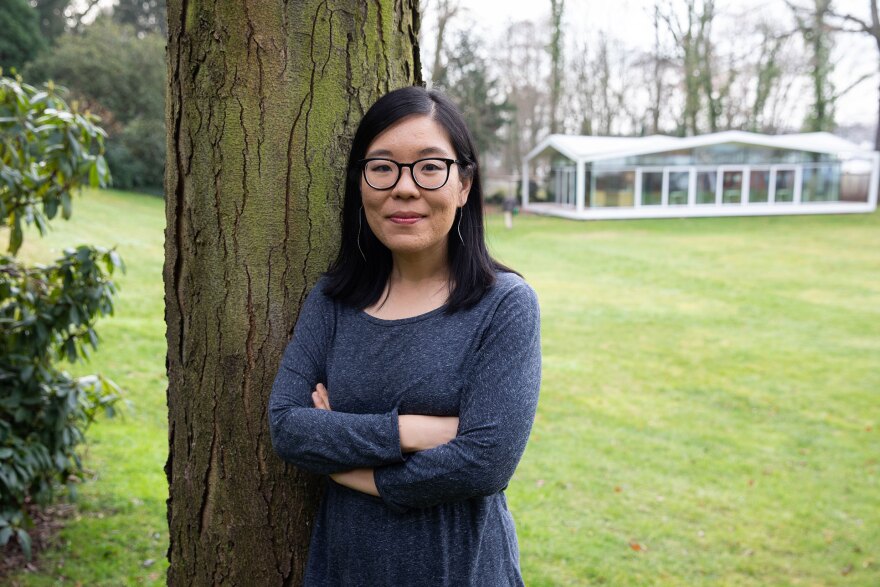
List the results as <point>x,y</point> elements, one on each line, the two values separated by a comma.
<point>427,350</point>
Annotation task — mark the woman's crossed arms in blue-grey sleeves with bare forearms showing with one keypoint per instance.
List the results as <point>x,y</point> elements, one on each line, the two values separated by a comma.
<point>414,461</point>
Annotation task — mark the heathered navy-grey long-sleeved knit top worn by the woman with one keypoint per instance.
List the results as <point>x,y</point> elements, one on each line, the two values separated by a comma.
<point>442,517</point>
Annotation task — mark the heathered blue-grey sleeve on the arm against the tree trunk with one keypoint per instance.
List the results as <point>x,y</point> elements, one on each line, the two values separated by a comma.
<point>316,440</point>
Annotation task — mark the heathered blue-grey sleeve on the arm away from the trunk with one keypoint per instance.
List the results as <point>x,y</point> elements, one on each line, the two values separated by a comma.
<point>498,406</point>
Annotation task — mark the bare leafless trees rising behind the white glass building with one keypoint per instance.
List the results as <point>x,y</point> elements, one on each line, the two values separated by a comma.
<point>709,67</point>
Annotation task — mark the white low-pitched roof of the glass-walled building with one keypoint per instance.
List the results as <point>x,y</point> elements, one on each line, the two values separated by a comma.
<point>592,148</point>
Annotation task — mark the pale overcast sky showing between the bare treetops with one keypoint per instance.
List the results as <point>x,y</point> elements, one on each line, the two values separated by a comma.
<point>630,21</point>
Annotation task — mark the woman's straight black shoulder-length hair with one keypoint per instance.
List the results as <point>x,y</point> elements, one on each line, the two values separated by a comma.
<point>359,279</point>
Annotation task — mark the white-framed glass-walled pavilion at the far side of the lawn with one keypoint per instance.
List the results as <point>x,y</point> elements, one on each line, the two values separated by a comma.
<point>723,174</point>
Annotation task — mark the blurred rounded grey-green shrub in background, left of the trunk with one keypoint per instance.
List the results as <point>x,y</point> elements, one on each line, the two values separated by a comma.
<point>120,75</point>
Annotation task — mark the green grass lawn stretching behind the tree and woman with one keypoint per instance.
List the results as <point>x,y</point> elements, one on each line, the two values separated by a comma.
<point>710,408</point>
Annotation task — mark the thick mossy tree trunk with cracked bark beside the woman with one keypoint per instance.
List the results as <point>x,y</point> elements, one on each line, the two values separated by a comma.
<point>263,99</point>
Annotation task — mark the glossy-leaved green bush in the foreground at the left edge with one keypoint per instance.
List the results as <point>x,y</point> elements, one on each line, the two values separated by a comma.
<point>47,313</point>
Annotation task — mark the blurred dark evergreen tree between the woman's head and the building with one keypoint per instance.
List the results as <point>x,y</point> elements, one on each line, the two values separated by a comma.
<point>467,81</point>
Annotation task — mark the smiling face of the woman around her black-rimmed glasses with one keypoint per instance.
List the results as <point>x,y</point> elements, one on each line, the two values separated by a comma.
<point>407,218</point>
